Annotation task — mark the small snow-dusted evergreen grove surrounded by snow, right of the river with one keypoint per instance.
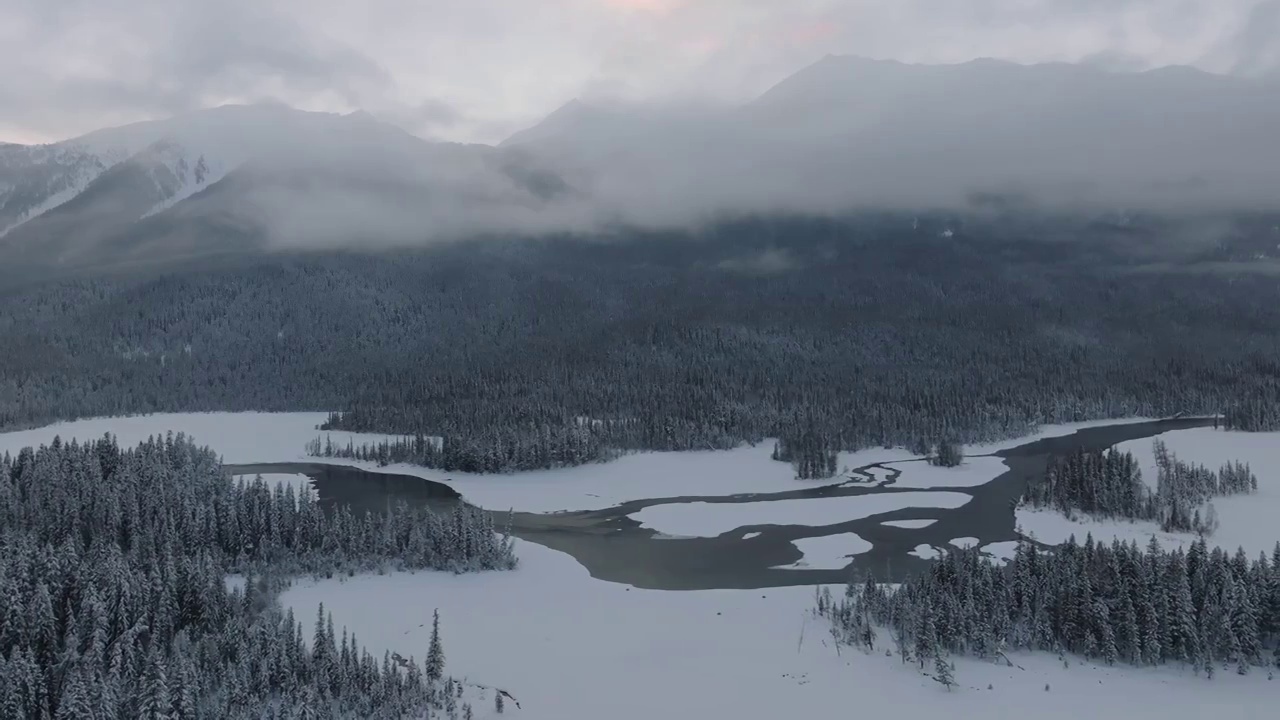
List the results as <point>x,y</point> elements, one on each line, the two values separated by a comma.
<point>1110,485</point>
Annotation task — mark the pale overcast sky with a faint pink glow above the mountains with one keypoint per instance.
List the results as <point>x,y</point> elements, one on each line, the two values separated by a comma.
<point>481,70</point>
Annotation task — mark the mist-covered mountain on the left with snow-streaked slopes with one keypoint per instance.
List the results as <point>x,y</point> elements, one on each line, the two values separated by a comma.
<point>257,176</point>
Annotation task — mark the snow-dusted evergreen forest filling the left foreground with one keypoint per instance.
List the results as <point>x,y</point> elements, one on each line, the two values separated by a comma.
<point>115,603</point>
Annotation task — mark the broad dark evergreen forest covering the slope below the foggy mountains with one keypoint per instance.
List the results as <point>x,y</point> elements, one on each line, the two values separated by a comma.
<point>874,330</point>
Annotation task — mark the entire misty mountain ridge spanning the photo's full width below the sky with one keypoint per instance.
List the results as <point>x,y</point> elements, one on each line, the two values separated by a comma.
<point>843,134</point>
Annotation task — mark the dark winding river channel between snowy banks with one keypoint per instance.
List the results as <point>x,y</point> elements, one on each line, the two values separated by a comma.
<point>615,548</point>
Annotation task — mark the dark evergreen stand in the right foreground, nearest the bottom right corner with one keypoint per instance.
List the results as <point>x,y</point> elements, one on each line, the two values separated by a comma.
<point>1113,604</point>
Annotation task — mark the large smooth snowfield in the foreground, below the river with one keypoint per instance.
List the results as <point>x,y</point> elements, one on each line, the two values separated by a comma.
<point>751,655</point>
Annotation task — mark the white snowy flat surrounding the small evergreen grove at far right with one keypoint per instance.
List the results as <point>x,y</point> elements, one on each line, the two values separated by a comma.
<point>1245,521</point>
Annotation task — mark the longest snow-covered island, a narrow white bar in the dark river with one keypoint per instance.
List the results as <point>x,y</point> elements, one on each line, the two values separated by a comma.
<point>712,520</point>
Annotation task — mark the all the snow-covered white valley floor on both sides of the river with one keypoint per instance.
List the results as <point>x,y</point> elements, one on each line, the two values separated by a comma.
<point>572,648</point>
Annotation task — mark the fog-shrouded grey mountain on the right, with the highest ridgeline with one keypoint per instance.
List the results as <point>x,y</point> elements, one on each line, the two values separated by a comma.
<point>851,131</point>
